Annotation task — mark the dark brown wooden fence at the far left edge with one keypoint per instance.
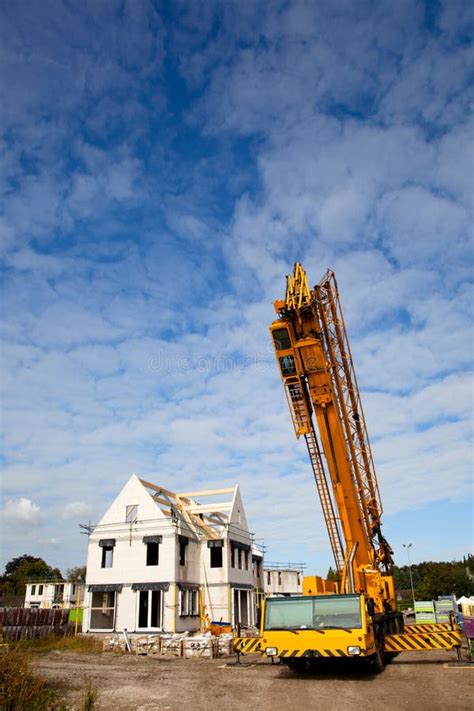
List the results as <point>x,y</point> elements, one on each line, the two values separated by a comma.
<point>29,623</point>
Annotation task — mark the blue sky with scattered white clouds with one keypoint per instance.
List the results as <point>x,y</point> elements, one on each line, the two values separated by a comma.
<point>163,166</point>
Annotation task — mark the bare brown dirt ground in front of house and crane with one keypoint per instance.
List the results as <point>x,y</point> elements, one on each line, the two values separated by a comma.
<point>128,683</point>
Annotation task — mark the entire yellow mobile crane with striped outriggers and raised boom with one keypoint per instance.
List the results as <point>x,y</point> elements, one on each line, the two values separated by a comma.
<point>357,616</point>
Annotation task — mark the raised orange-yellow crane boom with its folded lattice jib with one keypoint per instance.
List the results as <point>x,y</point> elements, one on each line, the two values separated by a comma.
<point>314,356</point>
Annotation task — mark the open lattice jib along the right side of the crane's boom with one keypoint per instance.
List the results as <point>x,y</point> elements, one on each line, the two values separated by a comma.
<point>347,397</point>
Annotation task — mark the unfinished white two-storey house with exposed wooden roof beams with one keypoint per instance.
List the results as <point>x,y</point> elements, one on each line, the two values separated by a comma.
<point>165,562</point>
